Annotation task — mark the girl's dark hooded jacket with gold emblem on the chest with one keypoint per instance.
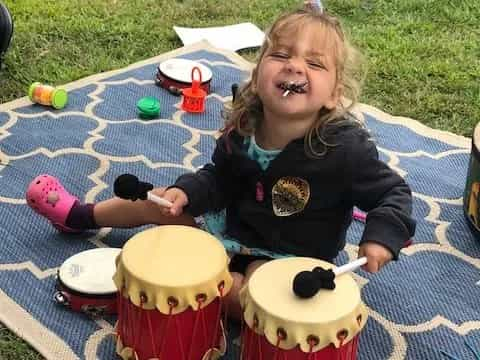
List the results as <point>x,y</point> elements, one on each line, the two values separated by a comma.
<point>349,174</point>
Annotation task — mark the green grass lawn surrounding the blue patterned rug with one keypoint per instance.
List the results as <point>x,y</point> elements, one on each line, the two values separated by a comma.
<point>423,55</point>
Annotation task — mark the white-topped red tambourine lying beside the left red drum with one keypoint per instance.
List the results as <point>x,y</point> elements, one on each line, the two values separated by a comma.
<point>84,282</point>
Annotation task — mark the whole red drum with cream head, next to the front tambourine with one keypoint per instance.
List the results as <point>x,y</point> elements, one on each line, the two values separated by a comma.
<point>172,280</point>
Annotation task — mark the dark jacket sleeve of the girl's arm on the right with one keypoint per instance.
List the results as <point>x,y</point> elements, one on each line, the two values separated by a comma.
<point>380,191</point>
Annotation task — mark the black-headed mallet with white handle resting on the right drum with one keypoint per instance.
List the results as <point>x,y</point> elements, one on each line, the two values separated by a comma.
<point>307,283</point>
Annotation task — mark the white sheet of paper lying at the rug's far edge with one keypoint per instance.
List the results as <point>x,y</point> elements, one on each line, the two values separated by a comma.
<point>231,37</point>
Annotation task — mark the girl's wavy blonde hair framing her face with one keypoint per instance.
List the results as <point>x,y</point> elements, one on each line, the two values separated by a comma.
<point>247,110</point>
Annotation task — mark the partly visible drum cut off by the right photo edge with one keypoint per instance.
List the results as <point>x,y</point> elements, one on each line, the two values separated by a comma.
<point>471,196</point>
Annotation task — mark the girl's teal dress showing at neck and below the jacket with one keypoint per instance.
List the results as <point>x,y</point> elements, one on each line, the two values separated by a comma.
<point>215,224</point>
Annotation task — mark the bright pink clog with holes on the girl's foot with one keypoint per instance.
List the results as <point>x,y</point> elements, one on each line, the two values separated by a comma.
<point>46,196</point>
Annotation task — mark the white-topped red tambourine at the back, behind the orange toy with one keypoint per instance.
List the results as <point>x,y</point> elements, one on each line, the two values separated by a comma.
<point>176,74</point>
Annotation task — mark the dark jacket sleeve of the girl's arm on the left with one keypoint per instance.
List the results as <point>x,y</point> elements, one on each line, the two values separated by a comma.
<point>207,188</point>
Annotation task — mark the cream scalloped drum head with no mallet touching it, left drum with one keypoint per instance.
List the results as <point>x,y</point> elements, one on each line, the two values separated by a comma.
<point>172,262</point>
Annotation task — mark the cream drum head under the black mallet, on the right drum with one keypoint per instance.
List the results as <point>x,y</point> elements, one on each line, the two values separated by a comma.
<point>270,305</point>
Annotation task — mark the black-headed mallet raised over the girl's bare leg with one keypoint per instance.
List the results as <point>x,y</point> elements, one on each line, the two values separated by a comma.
<point>128,187</point>
